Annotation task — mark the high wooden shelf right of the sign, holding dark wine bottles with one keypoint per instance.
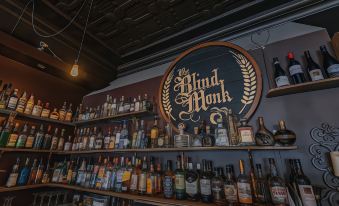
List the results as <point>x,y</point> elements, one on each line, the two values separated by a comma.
<point>304,87</point>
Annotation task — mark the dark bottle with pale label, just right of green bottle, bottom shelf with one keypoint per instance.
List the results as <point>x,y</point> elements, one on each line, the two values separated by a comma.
<point>192,183</point>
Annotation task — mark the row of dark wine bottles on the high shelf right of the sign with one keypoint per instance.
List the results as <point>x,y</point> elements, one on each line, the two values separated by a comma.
<point>313,70</point>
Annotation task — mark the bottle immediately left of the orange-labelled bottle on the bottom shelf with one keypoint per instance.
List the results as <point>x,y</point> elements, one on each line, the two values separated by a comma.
<point>230,186</point>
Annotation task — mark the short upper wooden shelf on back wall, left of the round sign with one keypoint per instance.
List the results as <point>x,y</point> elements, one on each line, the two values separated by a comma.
<point>115,117</point>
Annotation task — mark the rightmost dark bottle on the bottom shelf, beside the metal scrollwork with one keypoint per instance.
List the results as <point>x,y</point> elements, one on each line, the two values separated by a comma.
<point>304,186</point>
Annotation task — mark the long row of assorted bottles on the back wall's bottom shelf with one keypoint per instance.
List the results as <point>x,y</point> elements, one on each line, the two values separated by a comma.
<point>146,177</point>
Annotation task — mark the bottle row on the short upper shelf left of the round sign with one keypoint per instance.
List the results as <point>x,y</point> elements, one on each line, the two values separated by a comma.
<point>113,107</point>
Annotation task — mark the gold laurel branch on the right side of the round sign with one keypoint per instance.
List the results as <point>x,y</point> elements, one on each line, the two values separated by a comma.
<point>250,79</point>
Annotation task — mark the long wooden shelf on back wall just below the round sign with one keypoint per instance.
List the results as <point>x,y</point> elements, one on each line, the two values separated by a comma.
<point>192,149</point>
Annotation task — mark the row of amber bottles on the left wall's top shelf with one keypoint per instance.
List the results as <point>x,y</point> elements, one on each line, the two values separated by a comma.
<point>9,99</point>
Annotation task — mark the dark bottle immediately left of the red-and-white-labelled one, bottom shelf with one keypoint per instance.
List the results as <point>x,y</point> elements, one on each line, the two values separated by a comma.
<point>263,194</point>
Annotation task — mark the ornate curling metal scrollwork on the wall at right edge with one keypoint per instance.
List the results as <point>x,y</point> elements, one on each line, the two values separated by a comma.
<point>326,140</point>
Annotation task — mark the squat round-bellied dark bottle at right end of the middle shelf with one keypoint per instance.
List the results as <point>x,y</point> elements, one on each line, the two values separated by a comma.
<point>284,136</point>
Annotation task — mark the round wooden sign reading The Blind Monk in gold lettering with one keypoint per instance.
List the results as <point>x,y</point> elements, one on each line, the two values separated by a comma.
<point>206,82</point>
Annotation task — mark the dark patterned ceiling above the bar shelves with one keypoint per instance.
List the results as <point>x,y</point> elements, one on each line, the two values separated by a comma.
<point>122,33</point>
